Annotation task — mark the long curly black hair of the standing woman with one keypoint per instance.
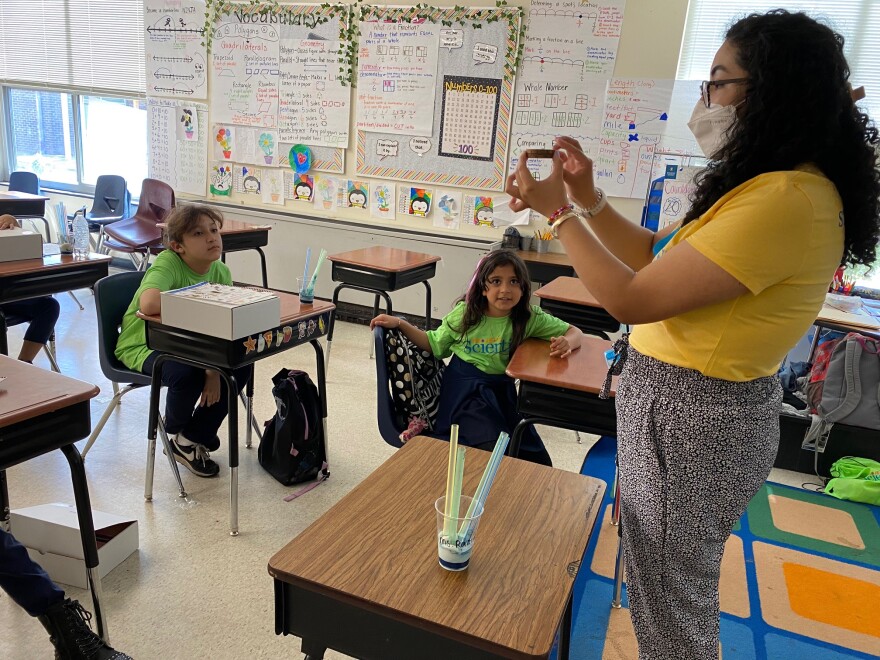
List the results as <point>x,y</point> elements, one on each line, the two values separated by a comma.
<point>798,109</point>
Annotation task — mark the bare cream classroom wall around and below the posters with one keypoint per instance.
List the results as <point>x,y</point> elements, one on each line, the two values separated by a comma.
<point>649,47</point>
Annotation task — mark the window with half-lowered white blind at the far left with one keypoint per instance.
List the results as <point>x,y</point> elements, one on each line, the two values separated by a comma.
<point>72,90</point>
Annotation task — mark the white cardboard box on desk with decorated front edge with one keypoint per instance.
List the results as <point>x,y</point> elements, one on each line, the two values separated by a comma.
<point>228,312</point>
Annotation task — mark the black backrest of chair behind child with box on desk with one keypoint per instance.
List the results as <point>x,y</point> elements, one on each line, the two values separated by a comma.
<point>113,295</point>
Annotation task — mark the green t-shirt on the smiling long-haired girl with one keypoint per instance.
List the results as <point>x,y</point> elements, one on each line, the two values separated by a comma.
<point>487,344</point>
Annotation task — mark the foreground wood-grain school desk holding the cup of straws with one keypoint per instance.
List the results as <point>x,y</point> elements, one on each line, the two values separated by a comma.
<point>364,578</point>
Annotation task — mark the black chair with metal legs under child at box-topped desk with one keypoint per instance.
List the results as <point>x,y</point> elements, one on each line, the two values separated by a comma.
<point>113,294</point>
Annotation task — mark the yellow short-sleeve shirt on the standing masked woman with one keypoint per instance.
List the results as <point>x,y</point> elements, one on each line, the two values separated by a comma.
<point>781,235</point>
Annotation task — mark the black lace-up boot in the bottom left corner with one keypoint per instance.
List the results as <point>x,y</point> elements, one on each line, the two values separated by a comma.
<point>72,636</point>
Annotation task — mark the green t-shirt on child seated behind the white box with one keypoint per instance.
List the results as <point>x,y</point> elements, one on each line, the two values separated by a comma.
<point>168,272</point>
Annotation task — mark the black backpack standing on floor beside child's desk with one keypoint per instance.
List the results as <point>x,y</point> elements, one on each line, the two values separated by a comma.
<point>292,449</point>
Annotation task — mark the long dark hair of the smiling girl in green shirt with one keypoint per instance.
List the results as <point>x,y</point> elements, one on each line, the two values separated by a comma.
<point>476,303</point>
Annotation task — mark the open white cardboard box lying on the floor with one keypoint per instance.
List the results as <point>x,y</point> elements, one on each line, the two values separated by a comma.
<point>50,532</point>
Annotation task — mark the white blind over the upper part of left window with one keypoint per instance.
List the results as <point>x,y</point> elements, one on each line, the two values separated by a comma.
<point>93,46</point>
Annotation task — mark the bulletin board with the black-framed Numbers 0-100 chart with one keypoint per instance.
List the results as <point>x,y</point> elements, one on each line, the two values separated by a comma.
<point>466,142</point>
